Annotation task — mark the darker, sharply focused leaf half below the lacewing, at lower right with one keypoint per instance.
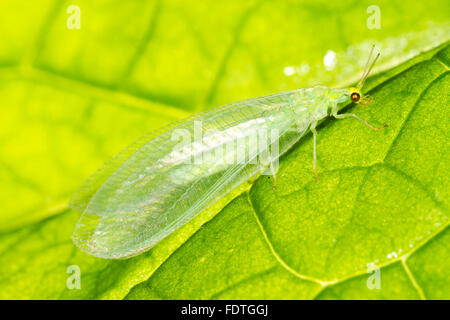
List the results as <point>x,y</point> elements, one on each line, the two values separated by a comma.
<point>382,199</point>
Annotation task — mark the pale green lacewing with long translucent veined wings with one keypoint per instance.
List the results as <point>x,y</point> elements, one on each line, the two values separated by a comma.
<point>163,180</point>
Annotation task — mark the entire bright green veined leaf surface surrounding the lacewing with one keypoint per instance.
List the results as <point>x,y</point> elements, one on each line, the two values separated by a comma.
<point>73,98</point>
